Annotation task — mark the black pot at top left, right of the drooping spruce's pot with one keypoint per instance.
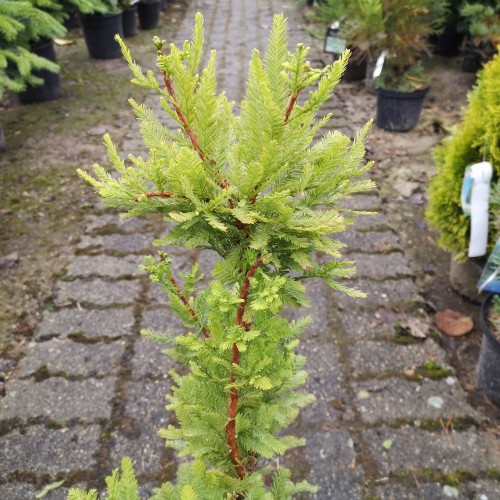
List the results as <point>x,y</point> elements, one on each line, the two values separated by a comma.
<point>99,32</point>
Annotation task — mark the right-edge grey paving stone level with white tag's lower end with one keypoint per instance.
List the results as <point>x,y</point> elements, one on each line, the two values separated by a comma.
<point>369,241</point>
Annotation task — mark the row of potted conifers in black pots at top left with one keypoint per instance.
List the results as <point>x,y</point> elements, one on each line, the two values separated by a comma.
<point>28,64</point>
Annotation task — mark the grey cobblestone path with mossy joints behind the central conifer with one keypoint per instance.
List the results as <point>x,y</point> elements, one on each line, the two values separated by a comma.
<point>90,390</point>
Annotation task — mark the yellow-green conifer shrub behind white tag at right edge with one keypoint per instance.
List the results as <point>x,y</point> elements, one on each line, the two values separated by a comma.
<point>477,136</point>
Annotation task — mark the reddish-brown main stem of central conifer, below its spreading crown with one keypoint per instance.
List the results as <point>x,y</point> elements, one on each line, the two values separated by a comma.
<point>233,393</point>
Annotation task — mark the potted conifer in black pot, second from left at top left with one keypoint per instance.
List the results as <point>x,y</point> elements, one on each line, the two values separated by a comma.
<point>101,21</point>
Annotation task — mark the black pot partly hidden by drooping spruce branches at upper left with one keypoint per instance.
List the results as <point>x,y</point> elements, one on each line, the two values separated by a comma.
<point>51,87</point>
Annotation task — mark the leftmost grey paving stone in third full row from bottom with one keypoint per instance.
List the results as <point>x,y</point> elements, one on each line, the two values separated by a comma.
<point>71,358</point>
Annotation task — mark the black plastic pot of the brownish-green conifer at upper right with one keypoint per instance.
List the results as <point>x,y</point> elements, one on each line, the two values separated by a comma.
<point>399,111</point>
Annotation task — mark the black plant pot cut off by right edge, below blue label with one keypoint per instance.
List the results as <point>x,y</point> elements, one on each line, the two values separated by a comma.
<point>489,359</point>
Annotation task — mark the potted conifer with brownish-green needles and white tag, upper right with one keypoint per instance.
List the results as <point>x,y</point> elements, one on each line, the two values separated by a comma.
<point>403,84</point>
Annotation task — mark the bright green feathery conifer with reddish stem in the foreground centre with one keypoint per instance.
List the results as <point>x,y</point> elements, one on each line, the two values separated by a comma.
<point>259,192</point>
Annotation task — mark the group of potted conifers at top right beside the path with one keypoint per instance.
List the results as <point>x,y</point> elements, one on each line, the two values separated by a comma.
<point>396,33</point>
